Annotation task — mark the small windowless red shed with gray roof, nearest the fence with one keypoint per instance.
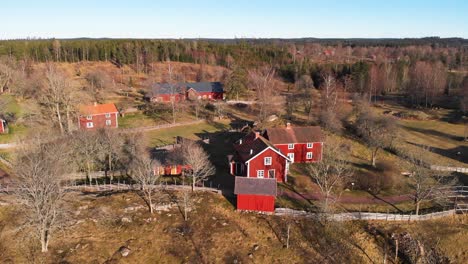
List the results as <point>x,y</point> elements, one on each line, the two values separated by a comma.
<point>255,194</point>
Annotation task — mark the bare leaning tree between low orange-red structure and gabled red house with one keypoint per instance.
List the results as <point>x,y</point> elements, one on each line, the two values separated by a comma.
<point>200,167</point>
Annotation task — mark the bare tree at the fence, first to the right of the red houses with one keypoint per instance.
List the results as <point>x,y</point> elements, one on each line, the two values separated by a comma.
<point>331,173</point>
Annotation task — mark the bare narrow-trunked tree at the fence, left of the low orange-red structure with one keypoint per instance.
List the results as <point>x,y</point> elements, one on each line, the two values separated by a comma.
<point>143,172</point>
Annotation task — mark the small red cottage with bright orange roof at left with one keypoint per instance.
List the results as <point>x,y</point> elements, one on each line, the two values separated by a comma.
<point>98,116</point>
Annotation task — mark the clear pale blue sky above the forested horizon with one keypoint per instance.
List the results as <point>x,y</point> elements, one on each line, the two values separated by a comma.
<point>233,19</point>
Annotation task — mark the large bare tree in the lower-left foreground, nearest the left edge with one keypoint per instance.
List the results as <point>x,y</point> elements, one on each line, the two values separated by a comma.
<point>40,173</point>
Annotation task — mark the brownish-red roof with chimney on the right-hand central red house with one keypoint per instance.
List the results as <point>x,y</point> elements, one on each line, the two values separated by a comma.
<point>289,135</point>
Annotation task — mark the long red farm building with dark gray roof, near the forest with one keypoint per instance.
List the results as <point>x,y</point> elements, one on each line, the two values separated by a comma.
<point>164,92</point>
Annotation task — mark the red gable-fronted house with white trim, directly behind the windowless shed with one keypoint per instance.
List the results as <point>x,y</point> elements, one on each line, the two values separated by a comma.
<point>256,157</point>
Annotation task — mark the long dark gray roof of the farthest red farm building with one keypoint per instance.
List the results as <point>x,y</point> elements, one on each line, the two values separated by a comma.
<point>166,88</point>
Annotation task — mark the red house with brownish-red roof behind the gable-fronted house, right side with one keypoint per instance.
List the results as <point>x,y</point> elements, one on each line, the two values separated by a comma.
<point>300,144</point>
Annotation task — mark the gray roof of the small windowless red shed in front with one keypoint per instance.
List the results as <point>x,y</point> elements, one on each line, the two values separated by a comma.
<point>256,186</point>
